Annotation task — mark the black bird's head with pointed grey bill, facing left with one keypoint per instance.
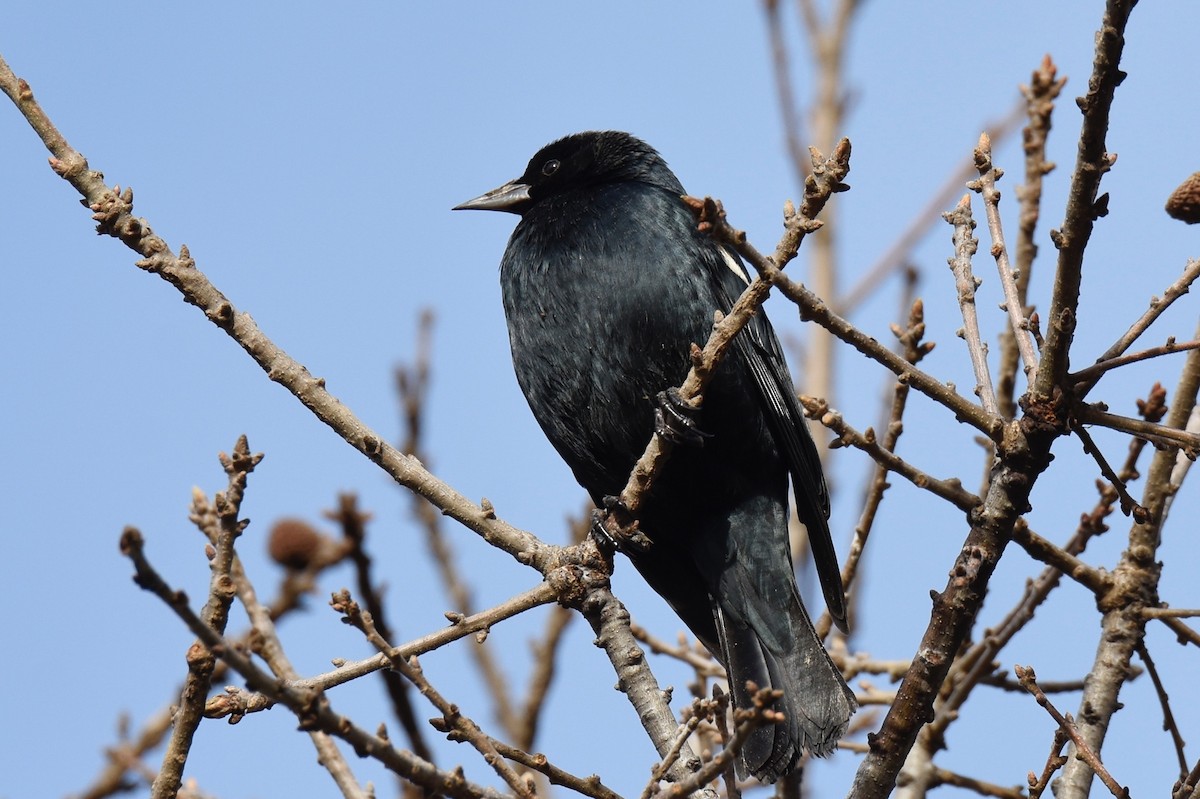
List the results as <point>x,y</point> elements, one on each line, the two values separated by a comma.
<point>579,163</point>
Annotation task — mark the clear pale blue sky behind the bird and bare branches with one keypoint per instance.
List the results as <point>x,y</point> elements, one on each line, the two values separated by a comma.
<point>309,157</point>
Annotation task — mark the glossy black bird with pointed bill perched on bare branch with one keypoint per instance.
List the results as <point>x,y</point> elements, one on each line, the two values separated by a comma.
<point>607,284</point>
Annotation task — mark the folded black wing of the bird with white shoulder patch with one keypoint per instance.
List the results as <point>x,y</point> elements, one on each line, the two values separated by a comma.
<point>759,350</point>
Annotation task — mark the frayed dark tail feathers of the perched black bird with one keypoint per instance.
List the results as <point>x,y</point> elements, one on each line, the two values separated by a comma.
<point>767,636</point>
